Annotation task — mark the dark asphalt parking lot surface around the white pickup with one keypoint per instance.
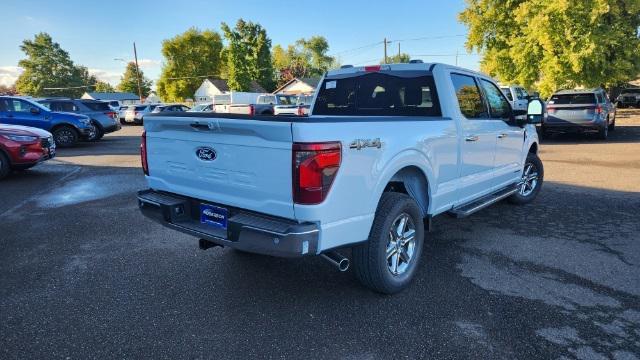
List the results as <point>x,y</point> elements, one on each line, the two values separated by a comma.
<point>84,275</point>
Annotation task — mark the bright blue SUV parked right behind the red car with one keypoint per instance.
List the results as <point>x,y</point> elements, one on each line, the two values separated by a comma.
<point>67,128</point>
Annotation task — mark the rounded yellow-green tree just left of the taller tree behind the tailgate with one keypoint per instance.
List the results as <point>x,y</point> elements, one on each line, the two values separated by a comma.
<point>189,57</point>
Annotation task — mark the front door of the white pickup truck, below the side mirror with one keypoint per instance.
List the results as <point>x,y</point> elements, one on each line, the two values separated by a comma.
<point>509,138</point>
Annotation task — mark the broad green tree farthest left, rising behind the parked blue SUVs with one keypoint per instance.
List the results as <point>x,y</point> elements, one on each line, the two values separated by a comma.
<point>48,66</point>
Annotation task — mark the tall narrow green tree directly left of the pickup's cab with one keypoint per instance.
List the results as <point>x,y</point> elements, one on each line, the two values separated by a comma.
<point>248,56</point>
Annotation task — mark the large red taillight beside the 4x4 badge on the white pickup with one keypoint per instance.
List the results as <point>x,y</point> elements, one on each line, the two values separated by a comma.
<point>315,165</point>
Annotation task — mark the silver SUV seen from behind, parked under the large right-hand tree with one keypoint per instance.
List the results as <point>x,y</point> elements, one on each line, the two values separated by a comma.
<point>580,110</point>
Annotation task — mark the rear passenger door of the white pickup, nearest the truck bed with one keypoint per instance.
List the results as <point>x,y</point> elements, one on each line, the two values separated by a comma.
<point>477,146</point>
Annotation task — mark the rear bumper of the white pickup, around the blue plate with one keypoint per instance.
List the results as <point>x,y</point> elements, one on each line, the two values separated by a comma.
<point>247,231</point>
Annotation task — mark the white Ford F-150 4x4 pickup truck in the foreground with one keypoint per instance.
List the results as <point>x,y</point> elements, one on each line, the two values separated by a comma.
<point>385,149</point>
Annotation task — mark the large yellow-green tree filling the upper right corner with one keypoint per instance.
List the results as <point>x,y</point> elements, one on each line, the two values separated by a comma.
<point>553,44</point>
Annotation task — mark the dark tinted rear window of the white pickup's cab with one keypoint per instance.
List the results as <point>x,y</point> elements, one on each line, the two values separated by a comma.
<point>378,94</point>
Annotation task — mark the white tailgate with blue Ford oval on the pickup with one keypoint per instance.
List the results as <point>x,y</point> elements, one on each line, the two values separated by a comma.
<point>235,162</point>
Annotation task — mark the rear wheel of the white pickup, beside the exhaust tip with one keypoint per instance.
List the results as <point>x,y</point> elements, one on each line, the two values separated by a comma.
<point>371,261</point>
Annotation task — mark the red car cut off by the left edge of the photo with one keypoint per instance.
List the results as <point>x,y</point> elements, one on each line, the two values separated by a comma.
<point>22,147</point>
